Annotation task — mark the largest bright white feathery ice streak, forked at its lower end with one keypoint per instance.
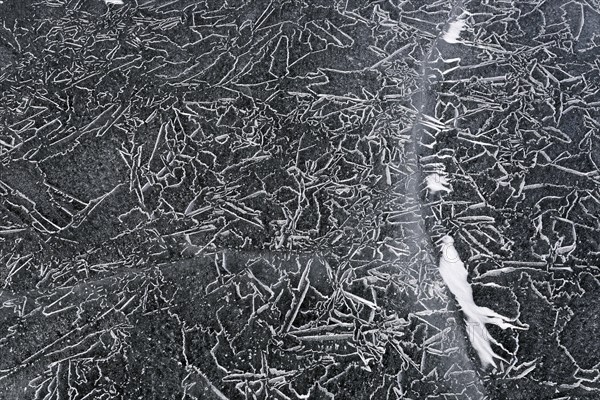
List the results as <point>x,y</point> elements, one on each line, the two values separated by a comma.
<point>454,273</point>
